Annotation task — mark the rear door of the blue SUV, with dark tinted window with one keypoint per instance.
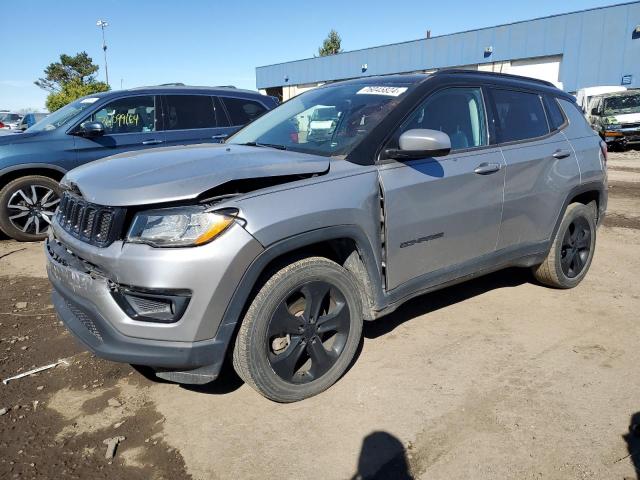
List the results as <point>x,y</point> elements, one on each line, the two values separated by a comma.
<point>190,118</point>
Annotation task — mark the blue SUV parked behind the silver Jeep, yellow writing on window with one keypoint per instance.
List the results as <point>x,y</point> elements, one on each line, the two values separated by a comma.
<point>104,124</point>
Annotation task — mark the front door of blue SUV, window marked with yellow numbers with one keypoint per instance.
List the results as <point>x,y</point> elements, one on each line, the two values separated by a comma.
<point>130,124</point>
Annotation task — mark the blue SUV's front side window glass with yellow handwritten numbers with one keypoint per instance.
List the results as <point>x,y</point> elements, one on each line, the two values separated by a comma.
<point>127,115</point>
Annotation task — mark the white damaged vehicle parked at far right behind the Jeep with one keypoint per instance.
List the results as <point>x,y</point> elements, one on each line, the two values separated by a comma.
<point>616,117</point>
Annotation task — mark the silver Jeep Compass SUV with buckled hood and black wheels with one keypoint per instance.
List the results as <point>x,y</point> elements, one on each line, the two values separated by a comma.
<point>276,245</point>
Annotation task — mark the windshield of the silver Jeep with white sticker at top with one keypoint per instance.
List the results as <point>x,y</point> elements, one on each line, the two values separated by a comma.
<point>328,121</point>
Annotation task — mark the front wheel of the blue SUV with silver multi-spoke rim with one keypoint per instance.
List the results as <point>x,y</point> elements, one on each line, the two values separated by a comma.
<point>24,202</point>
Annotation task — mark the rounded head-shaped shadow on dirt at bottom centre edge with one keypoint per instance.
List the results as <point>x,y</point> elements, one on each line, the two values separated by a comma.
<point>382,456</point>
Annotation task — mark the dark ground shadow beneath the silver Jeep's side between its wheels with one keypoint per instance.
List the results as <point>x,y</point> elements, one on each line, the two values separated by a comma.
<point>511,277</point>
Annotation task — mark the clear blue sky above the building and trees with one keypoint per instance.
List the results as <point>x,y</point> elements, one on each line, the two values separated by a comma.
<point>221,43</point>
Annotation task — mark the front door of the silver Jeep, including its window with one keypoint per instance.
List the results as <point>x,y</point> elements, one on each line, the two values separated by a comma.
<point>443,212</point>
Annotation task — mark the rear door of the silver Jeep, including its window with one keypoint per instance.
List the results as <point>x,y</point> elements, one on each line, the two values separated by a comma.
<point>541,165</point>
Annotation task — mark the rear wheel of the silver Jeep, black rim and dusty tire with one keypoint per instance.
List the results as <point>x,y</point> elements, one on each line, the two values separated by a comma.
<point>570,256</point>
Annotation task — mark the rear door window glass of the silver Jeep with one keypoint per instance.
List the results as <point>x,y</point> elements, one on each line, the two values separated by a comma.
<point>520,115</point>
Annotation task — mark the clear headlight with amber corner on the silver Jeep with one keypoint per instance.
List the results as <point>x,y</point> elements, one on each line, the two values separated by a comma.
<point>179,227</point>
